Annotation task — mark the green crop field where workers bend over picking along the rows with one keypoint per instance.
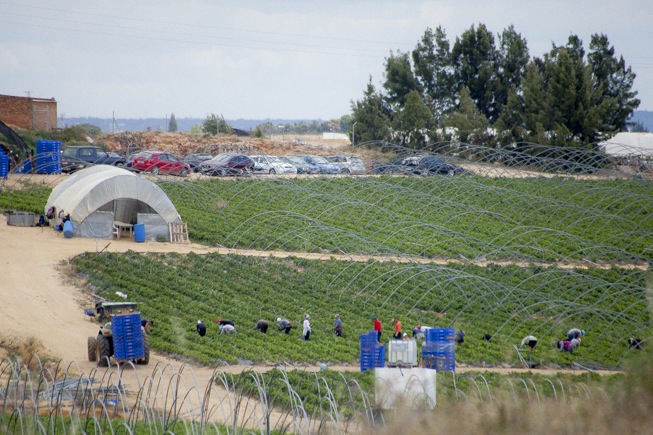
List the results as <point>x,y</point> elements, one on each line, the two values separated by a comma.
<point>505,302</point>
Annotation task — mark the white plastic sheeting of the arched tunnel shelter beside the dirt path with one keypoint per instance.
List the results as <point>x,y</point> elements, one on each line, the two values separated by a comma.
<point>96,196</point>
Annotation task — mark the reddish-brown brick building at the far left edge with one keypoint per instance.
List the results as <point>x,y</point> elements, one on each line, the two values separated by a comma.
<point>29,113</point>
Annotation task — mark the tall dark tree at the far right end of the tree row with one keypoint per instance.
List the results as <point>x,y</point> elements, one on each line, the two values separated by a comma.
<point>612,84</point>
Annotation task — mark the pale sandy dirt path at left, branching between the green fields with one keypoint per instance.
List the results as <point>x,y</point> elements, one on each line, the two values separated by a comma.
<point>38,301</point>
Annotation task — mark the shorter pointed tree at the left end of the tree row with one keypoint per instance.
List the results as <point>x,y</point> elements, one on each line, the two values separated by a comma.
<point>371,116</point>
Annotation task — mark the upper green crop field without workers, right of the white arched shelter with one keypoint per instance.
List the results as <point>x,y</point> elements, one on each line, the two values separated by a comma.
<point>468,217</point>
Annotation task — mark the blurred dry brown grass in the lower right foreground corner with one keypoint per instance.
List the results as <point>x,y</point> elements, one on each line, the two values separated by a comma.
<point>626,410</point>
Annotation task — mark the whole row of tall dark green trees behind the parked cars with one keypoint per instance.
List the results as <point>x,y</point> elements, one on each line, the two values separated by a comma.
<point>487,90</point>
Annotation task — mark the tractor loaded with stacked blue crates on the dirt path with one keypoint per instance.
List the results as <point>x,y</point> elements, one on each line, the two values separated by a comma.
<point>120,336</point>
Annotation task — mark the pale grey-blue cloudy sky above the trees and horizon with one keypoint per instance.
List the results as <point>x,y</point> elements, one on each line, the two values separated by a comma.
<point>267,59</point>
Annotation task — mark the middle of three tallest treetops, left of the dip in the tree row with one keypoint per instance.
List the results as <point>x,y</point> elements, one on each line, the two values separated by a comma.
<point>474,57</point>
